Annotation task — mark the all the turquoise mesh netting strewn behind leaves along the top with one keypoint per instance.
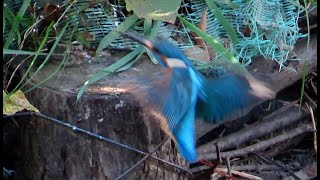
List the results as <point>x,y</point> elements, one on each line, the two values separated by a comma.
<point>263,27</point>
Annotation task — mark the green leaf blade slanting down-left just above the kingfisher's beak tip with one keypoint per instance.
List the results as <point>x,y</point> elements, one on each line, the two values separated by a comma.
<point>125,25</point>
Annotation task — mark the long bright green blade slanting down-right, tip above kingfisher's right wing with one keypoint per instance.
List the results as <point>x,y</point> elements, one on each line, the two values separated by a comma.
<point>210,40</point>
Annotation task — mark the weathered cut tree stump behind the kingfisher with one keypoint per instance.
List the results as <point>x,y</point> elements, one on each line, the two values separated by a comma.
<point>52,151</point>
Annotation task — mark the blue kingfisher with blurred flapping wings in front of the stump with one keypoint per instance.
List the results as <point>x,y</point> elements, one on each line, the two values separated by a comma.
<point>181,94</point>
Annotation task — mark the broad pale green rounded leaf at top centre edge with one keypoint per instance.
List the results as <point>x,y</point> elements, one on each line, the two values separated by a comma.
<point>166,10</point>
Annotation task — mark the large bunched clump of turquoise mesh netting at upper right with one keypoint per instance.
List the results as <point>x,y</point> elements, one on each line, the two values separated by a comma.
<point>272,25</point>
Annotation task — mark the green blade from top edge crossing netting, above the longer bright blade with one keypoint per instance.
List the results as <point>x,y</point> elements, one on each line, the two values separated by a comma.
<point>223,21</point>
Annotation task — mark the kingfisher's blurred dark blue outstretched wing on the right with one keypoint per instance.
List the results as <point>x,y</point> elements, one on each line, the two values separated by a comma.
<point>231,96</point>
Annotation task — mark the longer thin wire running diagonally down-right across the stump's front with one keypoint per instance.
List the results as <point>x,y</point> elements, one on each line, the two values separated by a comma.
<point>75,128</point>
